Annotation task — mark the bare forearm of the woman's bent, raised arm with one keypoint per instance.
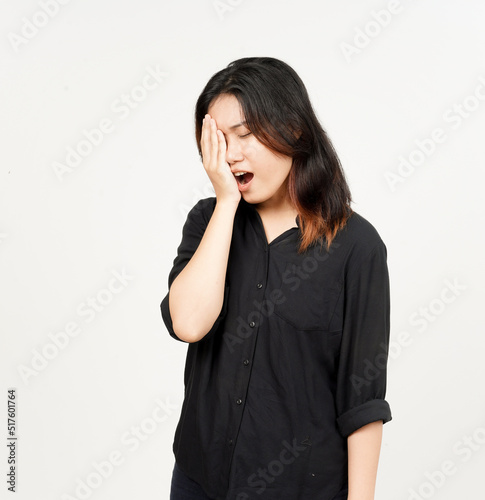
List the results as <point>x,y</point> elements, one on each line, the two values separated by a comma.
<point>197,293</point>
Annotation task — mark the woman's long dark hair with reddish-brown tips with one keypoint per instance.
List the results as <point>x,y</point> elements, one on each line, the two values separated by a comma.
<point>278,111</point>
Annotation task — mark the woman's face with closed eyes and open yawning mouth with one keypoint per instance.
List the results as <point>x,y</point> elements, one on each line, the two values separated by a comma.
<point>268,185</point>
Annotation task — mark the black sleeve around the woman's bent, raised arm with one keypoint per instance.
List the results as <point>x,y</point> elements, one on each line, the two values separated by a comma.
<point>192,233</point>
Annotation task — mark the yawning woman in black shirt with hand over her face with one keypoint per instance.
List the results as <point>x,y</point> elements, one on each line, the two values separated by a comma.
<point>281,291</point>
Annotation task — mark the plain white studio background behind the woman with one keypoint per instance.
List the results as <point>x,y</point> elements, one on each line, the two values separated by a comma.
<point>122,208</point>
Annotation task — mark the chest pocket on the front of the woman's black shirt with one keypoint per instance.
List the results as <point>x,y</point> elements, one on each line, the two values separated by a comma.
<point>309,295</point>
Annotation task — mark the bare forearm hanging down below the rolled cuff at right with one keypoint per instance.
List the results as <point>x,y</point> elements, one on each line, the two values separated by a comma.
<point>364,447</point>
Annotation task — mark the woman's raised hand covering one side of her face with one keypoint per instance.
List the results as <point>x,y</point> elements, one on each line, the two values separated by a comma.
<point>213,146</point>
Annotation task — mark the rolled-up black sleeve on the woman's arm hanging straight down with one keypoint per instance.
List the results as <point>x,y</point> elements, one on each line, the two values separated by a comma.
<point>362,364</point>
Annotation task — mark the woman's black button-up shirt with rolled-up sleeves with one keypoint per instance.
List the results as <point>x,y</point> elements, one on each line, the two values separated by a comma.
<point>295,362</point>
